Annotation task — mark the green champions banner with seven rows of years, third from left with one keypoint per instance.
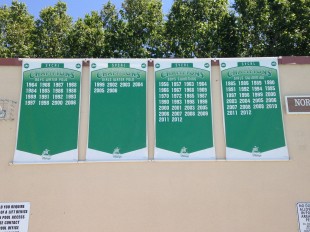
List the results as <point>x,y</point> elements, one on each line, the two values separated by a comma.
<point>183,117</point>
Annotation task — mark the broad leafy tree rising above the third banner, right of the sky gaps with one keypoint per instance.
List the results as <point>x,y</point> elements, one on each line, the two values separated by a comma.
<point>195,27</point>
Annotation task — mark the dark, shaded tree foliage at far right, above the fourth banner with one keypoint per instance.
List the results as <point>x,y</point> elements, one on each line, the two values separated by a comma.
<point>274,27</point>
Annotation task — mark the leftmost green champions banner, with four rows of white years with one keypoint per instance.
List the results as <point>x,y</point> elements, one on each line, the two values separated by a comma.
<point>49,111</point>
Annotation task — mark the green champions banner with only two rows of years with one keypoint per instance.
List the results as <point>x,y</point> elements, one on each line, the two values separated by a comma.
<point>117,121</point>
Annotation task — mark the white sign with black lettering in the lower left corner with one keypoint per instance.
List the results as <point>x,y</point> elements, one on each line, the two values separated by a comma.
<point>14,217</point>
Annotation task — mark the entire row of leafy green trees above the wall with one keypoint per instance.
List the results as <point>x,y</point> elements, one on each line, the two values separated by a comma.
<point>192,28</point>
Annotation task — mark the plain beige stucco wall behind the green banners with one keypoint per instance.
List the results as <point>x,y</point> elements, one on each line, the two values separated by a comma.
<point>160,196</point>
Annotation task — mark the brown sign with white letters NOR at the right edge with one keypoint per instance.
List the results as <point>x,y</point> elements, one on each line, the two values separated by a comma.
<point>297,104</point>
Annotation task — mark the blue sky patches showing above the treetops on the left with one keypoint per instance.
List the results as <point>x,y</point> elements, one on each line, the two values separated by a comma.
<point>76,8</point>
